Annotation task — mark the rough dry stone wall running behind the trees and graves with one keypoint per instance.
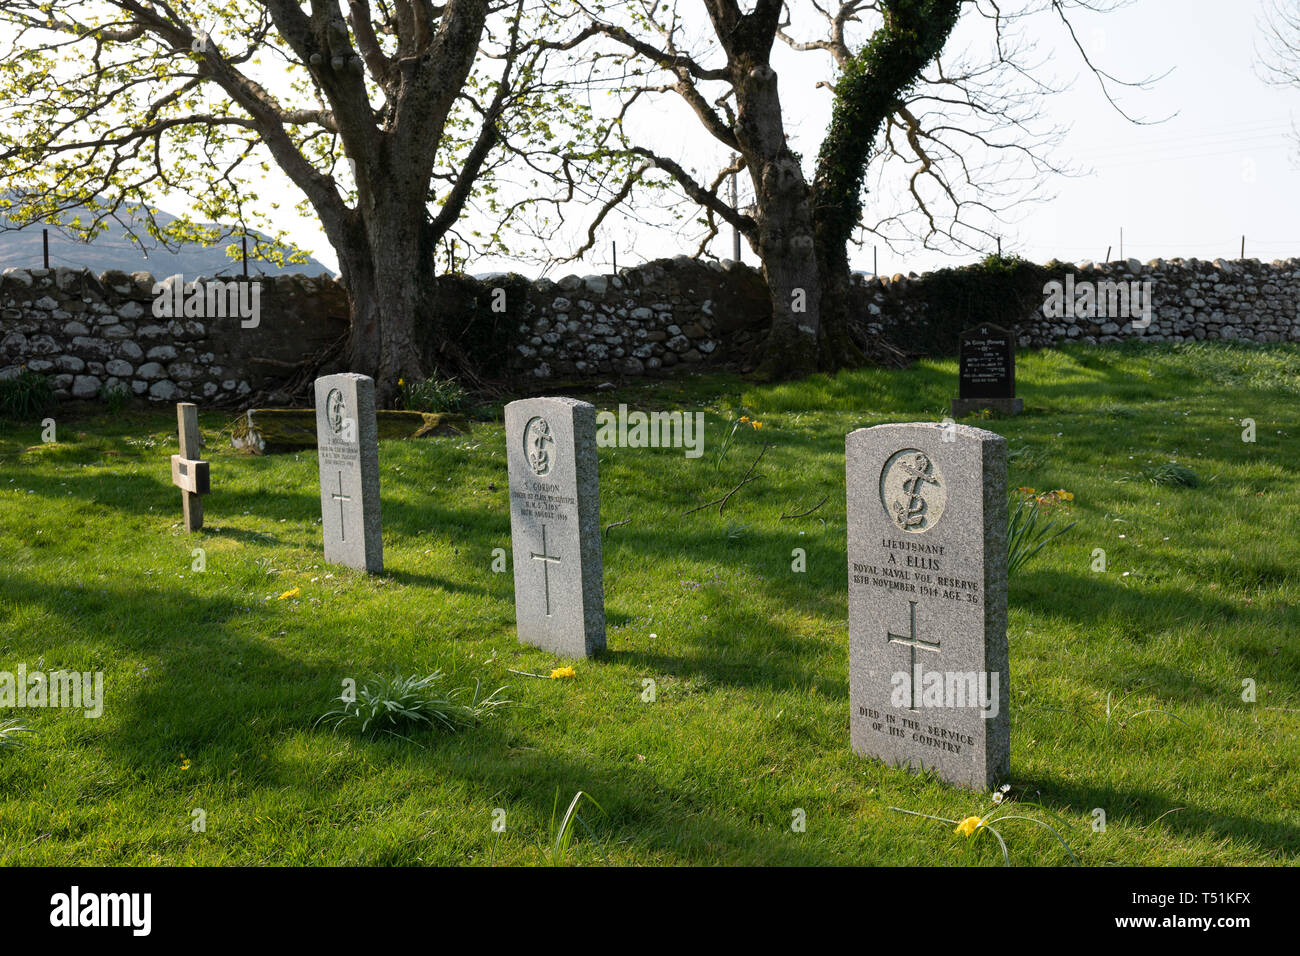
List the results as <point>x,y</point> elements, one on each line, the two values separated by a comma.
<point>99,334</point>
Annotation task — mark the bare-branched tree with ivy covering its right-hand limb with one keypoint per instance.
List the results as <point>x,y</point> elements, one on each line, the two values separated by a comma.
<point>967,132</point>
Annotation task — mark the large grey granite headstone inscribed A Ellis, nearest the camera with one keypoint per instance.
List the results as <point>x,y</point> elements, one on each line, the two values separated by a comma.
<point>928,600</point>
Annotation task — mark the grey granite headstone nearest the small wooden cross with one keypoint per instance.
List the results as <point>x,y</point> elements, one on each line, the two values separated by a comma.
<point>348,447</point>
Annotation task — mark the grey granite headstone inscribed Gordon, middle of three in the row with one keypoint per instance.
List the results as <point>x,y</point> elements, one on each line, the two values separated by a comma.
<point>556,525</point>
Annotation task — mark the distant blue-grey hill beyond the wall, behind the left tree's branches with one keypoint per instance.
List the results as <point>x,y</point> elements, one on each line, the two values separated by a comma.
<point>115,250</point>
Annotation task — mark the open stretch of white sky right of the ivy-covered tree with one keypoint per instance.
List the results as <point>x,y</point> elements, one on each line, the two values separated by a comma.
<point>1193,187</point>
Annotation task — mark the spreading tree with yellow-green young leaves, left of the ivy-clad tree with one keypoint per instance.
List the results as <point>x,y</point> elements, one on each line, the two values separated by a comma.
<point>392,118</point>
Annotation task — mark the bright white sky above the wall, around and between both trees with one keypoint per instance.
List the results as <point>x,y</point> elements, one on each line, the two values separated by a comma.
<point>1223,167</point>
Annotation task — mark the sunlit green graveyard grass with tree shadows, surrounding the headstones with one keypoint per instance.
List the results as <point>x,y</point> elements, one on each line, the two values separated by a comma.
<point>215,685</point>
